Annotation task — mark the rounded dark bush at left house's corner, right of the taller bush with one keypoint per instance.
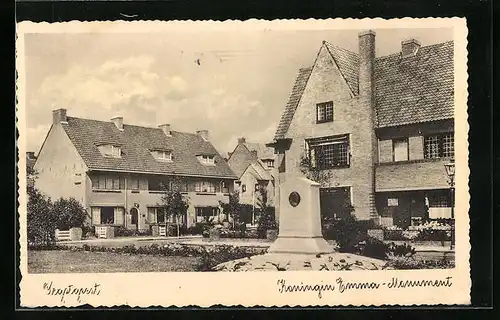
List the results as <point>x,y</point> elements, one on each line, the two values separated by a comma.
<point>70,213</point>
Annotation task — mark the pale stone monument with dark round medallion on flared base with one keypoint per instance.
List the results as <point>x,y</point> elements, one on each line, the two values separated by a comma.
<point>300,219</point>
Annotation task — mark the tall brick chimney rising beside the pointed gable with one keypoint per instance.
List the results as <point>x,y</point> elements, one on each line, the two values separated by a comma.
<point>366,63</point>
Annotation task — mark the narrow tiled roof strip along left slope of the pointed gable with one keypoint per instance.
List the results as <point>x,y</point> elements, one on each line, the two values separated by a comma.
<point>293,102</point>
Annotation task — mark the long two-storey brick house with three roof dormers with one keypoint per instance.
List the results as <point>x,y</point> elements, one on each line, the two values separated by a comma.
<point>116,170</point>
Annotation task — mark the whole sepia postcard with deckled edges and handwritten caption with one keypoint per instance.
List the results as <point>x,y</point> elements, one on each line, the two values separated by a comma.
<point>183,152</point>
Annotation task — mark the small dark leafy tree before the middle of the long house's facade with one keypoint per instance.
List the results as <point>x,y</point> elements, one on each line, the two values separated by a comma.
<point>173,202</point>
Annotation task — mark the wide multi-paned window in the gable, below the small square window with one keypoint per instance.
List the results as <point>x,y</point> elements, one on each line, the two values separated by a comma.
<point>329,152</point>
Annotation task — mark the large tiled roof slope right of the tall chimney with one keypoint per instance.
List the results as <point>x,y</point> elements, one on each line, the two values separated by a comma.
<point>415,89</point>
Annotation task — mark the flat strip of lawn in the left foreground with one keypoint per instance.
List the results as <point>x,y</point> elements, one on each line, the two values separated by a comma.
<point>61,261</point>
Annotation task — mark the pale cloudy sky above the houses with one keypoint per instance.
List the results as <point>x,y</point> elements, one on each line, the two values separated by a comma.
<point>234,84</point>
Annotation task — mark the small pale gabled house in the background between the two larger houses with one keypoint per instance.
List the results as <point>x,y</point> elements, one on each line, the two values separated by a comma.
<point>253,164</point>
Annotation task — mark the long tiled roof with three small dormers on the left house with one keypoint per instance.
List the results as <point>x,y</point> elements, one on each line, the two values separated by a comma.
<point>136,143</point>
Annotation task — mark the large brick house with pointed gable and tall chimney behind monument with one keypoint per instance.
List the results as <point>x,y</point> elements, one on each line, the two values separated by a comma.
<point>381,128</point>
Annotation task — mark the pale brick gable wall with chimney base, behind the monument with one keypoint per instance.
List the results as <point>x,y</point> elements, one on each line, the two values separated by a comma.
<point>352,115</point>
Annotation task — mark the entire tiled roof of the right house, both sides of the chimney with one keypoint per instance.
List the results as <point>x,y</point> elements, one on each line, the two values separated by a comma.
<point>408,90</point>
